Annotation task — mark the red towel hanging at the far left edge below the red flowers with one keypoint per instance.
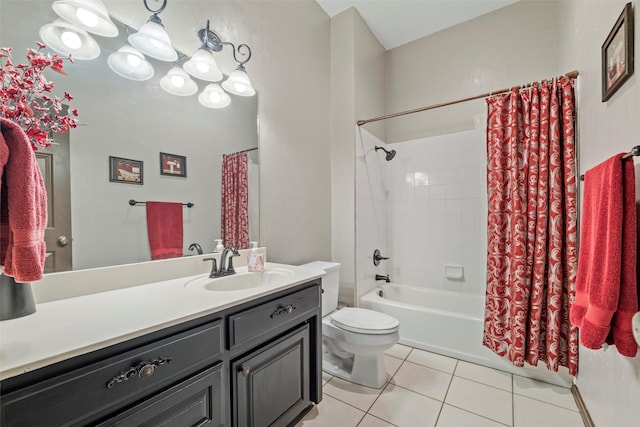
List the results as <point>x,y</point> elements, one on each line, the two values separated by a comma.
<point>23,206</point>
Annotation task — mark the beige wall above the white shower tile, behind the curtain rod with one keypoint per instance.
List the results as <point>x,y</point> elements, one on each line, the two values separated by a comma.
<point>511,46</point>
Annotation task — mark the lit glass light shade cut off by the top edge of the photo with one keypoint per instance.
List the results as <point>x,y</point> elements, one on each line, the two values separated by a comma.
<point>90,15</point>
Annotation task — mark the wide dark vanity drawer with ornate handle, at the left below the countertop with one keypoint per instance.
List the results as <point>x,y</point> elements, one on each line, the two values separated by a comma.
<point>86,394</point>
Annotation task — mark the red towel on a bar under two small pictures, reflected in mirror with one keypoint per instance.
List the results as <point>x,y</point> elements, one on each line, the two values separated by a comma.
<point>164,226</point>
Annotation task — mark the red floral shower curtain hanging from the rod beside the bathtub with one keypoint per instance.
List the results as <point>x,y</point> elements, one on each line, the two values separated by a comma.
<point>532,225</point>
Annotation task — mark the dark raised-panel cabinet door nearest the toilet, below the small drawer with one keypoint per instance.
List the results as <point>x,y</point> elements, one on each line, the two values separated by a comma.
<point>271,384</point>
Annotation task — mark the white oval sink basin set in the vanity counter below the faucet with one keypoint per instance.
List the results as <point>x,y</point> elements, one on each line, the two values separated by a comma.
<point>242,280</point>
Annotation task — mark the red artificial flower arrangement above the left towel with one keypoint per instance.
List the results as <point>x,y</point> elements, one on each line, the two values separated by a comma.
<point>26,99</point>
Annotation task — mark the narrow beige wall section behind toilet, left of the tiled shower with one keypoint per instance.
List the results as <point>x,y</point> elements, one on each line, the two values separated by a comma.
<point>357,90</point>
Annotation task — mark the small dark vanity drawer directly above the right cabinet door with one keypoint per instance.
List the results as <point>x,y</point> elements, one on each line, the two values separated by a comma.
<point>251,324</point>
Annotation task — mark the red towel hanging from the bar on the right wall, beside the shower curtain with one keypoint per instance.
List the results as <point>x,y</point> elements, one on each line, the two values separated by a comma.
<point>606,291</point>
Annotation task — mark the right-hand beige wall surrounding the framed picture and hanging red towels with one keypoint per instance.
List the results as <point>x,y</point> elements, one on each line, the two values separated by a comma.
<point>609,383</point>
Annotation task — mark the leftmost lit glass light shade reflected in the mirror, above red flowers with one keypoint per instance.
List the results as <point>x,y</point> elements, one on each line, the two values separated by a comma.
<point>67,39</point>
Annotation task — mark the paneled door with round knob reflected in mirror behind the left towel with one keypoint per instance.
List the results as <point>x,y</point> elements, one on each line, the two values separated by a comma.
<point>54,164</point>
